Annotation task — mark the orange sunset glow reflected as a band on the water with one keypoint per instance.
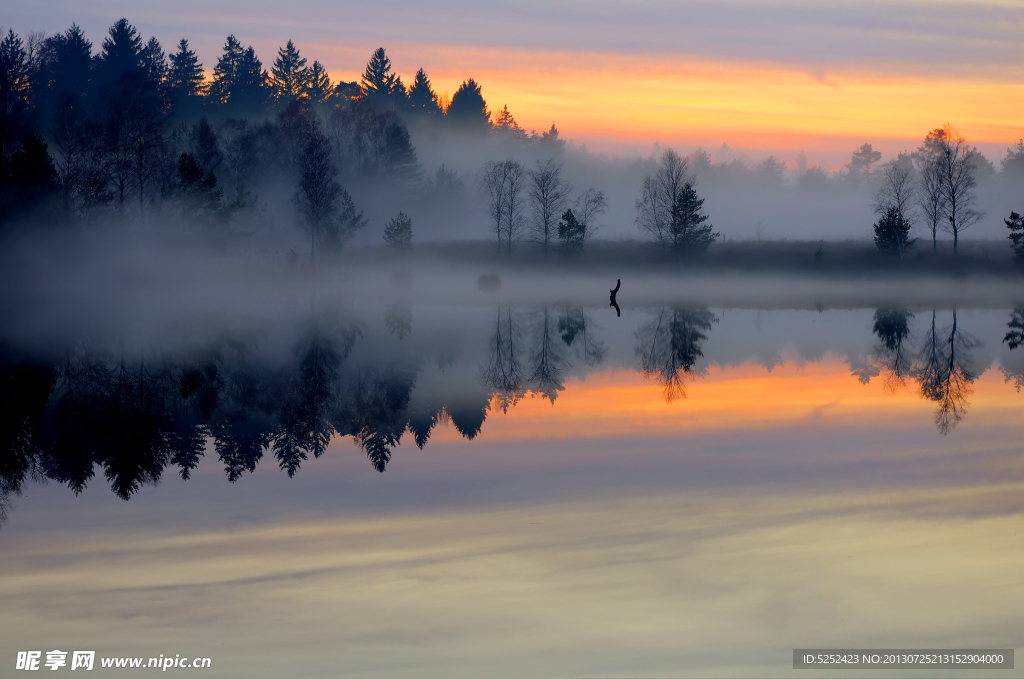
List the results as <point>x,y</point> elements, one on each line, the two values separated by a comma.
<point>621,403</point>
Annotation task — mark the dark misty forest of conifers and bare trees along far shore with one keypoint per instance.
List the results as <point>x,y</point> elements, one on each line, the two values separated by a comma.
<point>133,135</point>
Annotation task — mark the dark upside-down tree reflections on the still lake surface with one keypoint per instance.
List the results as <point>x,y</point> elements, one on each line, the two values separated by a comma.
<point>89,409</point>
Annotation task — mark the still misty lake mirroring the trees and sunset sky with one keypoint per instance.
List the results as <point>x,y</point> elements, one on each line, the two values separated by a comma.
<point>404,488</point>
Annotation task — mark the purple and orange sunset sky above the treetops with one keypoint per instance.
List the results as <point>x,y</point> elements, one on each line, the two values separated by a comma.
<point>779,77</point>
